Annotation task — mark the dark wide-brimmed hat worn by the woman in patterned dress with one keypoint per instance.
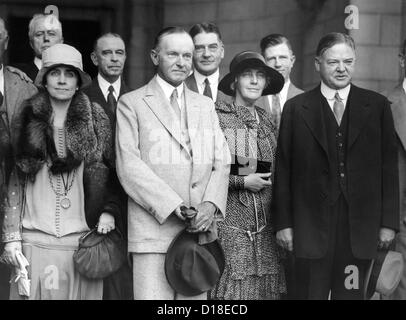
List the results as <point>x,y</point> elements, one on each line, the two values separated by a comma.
<point>251,59</point>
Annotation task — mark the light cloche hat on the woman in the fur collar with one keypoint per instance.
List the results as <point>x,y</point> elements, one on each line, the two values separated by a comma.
<point>62,55</point>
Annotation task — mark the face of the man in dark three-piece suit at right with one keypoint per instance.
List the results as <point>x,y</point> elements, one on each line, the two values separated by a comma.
<point>336,66</point>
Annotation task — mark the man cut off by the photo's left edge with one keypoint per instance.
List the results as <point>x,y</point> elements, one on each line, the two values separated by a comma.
<point>14,89</point>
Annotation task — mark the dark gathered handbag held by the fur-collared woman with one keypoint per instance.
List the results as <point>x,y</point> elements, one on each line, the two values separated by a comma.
<point>100,255</point>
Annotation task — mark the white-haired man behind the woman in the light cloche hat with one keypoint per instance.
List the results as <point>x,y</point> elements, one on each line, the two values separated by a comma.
<point>44,30</point>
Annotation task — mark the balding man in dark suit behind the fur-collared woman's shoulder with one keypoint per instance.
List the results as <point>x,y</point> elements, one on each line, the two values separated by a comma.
<point>109,56</point>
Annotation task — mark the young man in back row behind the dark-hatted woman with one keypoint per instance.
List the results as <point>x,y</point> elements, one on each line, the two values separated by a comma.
<point>278,54</point>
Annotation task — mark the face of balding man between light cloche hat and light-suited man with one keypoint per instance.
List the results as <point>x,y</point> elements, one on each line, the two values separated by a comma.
<point>109,57</point>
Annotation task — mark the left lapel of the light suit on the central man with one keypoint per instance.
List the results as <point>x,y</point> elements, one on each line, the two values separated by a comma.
<point>157,102</point>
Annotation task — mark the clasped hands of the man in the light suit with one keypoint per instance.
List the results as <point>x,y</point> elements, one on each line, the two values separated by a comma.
<point>199,220</point>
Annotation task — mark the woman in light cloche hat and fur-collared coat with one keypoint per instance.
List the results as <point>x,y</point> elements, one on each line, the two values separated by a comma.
<point>64,158</point>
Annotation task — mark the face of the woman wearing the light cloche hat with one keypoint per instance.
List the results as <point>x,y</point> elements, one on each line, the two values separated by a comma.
<point>61,83</point>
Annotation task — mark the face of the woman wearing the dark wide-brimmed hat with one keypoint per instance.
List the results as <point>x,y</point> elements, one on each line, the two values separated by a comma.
<point>250,83</point>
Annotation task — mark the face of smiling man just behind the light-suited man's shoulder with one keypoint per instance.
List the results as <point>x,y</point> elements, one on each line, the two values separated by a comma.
<point>208,53</point>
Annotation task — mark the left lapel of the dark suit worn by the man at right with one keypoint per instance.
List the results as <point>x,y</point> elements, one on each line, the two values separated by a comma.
<point>312,113</point>
